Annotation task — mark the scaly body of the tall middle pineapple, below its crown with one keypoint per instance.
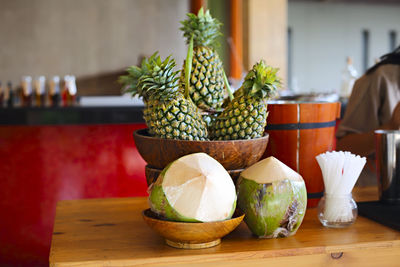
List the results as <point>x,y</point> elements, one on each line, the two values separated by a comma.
<point>206,79</point>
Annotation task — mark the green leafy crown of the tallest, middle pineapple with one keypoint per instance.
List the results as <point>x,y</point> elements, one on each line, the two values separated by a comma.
<point>203,27</point>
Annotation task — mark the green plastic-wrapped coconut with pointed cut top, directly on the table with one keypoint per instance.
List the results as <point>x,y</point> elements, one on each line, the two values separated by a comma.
<point>273,197</point>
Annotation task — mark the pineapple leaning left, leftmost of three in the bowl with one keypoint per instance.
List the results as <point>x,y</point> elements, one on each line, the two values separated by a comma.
<point>168,113</point>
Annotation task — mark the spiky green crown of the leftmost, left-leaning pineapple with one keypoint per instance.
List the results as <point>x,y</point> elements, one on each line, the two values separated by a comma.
<point>155,78</point>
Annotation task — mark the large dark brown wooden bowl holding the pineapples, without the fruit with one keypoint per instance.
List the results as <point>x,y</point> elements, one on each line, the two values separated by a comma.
<point>232,154</point>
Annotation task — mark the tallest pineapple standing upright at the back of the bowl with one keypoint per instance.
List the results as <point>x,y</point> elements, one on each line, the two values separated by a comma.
<point>206,87</point>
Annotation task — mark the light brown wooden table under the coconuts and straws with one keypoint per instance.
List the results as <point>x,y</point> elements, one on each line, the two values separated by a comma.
<point>111,232</point>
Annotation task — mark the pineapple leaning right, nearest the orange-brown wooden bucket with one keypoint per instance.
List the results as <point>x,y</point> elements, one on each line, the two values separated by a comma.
<point>245,117</point>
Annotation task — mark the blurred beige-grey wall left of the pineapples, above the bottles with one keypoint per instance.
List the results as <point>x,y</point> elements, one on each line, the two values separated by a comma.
<point>59,37</point>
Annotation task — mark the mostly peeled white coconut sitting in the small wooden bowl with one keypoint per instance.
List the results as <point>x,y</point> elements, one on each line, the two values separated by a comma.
<point>194,188</point>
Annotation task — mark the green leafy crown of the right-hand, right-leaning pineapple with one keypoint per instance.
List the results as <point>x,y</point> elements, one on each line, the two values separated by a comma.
<point>261,81</point>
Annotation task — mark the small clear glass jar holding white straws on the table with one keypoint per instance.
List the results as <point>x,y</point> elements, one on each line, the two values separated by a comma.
<point>337,211</point>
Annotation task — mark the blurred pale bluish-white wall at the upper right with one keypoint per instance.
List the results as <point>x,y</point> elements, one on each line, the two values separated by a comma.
<point>324,34</point>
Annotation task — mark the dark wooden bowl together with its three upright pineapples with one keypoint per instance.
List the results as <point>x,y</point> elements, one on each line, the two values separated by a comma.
<point>177,109</point>
